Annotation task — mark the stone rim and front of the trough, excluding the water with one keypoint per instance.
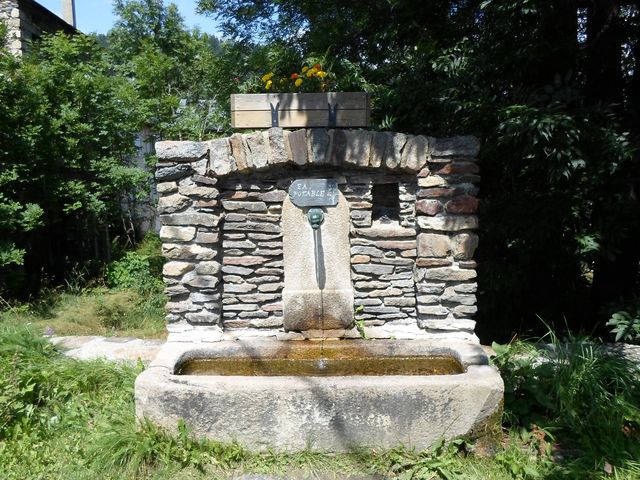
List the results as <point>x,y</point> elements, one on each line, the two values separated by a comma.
<point>274,412</point>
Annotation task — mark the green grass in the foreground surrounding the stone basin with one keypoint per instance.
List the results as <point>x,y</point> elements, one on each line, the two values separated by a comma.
<point>62,418</point>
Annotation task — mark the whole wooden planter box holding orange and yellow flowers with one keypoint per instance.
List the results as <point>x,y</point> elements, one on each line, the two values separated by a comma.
<point>293,110</point>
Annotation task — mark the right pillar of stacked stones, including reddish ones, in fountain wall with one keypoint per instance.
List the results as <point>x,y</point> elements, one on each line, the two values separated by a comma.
<point>446,208</point>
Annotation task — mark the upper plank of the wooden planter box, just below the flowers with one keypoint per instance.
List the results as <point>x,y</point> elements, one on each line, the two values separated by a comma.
<point>300,101</point>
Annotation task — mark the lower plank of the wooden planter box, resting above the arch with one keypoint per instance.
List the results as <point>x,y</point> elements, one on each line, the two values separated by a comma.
<point>296,118</point>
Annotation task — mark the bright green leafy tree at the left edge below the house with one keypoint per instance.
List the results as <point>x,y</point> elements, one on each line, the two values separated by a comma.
<point>66,128</point>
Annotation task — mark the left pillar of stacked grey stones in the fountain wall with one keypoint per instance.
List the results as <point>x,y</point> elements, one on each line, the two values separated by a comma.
<point>190,213</point>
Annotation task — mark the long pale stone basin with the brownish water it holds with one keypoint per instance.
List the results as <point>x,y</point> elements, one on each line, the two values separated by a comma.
<point>446,391</point>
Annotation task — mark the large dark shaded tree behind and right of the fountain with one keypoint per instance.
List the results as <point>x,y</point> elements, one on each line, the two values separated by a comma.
<point>551,88</point>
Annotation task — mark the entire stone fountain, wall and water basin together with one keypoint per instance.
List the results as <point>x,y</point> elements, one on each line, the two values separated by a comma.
<point>285,249</point>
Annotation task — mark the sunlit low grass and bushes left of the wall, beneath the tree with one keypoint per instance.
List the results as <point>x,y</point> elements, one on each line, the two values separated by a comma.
<point>128,302</point>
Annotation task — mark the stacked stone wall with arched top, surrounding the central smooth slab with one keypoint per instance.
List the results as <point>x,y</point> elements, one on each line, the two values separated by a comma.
<point>221,202</point>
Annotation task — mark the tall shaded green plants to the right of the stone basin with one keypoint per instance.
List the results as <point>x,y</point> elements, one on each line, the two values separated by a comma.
<point>562,385</point>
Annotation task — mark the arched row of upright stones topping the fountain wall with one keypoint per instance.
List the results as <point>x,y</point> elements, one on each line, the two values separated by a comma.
<point>261,150</point>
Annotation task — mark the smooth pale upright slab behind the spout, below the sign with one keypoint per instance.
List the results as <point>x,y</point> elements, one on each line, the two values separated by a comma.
<point>306,305</point>
